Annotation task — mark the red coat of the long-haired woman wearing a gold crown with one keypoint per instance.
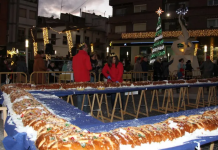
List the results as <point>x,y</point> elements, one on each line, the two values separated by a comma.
<point>116,73</point>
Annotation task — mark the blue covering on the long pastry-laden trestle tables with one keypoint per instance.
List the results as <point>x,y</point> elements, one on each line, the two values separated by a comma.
<point>60,108</point>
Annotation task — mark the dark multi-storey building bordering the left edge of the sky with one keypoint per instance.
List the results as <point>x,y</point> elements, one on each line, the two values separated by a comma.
<point>23,16</point>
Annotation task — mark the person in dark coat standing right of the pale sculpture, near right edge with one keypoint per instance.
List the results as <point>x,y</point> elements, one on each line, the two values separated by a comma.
<point>207,68</point>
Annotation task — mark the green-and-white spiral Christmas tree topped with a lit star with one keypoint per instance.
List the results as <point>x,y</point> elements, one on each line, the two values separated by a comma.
<point>158,47</point>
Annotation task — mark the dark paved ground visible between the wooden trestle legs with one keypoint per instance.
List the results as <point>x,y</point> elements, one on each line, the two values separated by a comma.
<point>192,97</point>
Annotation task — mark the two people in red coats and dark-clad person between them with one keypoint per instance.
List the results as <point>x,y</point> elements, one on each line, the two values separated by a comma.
<point>82,65</point>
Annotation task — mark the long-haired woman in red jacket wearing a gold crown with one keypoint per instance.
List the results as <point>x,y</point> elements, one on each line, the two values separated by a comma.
<point>113,71</point>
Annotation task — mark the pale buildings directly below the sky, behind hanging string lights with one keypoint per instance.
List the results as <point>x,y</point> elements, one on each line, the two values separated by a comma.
<point>88,28</point>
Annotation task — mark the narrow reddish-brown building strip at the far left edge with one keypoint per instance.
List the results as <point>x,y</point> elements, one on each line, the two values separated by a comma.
<point>3,26</point>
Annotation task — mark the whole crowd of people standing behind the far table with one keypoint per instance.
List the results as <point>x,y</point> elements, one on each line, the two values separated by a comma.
<point>82,65</point>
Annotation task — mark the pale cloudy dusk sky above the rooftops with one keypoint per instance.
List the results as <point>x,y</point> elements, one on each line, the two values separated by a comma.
<point>48,8</point>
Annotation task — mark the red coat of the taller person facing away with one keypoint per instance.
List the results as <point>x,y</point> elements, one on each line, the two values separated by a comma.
<point>81,67</point>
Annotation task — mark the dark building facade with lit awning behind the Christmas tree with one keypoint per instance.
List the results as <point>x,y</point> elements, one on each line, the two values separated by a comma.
<point>134,21</point>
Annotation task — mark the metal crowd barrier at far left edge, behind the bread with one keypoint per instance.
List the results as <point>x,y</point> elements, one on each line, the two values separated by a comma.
<point>13,77</point>
